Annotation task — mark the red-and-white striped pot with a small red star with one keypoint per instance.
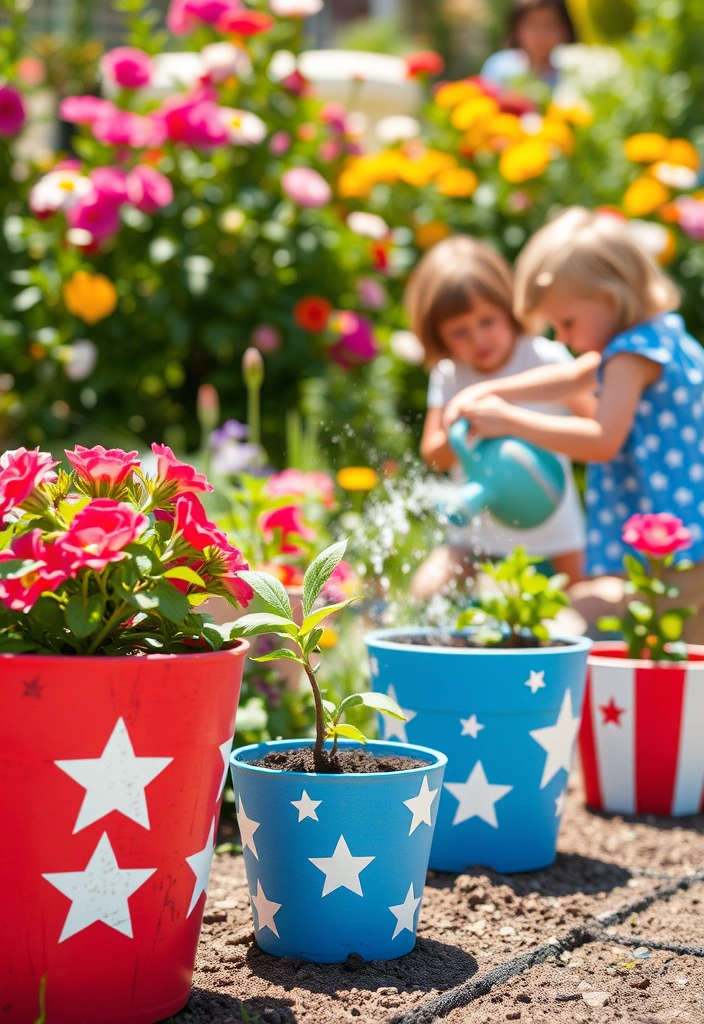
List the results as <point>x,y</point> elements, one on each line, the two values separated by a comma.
<point>641,739</point>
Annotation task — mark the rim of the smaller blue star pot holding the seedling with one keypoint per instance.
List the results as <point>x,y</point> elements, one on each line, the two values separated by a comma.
<point>439,760</point>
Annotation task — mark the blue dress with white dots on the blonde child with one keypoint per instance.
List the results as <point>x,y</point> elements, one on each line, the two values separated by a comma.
<point>662,466</point>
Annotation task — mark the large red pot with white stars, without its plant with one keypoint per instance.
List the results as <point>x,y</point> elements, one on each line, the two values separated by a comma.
<point>112,771</point>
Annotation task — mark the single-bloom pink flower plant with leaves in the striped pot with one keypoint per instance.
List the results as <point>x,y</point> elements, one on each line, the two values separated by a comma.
<point>653,624</point>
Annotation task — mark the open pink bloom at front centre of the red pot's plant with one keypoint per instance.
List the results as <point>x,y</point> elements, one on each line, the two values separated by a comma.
<point>100,533</point>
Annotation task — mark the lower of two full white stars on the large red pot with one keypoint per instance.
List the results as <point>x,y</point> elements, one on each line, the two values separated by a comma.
<point>101,892</point>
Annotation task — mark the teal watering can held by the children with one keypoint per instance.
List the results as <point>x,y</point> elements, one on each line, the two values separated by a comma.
<point>520,485</point>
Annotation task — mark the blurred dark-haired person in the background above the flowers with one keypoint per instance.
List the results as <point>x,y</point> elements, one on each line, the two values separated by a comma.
<point>535,29</point>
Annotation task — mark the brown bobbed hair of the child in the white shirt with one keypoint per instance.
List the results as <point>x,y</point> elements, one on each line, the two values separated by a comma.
<point>447,283</point>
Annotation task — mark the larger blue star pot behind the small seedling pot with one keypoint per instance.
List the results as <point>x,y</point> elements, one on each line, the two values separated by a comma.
<point>508,720</point>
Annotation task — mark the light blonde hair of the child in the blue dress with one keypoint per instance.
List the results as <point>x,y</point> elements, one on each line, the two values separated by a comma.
<point>587,253</point>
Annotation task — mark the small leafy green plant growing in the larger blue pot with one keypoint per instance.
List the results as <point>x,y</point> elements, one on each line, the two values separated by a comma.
<point>527,599</point>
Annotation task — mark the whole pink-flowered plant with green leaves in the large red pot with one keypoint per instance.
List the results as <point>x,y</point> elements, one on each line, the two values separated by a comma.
<point>110,559</point>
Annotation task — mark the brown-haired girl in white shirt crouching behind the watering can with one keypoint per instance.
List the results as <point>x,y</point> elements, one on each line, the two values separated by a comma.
<point>460,303</point>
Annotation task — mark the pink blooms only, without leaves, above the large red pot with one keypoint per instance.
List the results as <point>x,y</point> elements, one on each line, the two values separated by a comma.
<point>99,534</point>
